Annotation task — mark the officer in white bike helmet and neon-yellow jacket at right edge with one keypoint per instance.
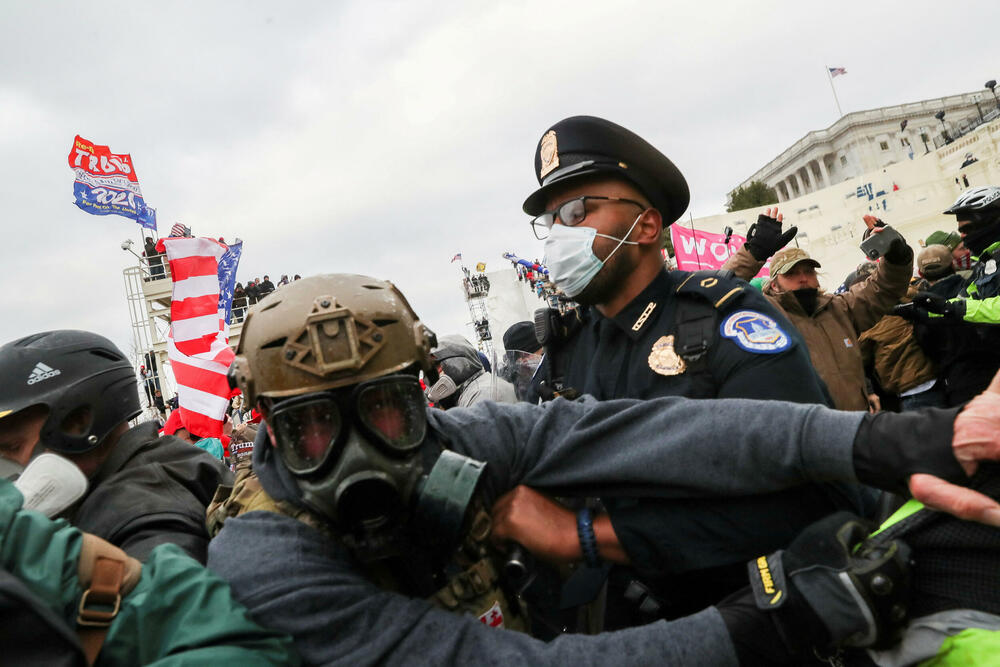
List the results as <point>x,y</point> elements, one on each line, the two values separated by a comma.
<point>958,324</point>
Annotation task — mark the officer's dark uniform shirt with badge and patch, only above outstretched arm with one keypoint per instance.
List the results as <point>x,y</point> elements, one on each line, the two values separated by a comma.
<point>760,355</point>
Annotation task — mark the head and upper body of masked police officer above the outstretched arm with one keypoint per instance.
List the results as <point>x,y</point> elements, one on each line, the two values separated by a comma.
<point>606,197</point>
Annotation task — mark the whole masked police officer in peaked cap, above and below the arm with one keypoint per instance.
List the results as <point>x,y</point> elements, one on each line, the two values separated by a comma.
<point>605,197</point>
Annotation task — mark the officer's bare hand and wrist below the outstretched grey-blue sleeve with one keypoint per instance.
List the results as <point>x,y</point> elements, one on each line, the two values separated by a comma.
<point>547,529</point>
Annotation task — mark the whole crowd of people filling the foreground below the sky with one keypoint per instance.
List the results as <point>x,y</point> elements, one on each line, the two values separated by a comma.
<point>693,472</point>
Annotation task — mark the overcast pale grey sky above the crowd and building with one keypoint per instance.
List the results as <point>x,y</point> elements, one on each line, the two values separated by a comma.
<point>382,138</point>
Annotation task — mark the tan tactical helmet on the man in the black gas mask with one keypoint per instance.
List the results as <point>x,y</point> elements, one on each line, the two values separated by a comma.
<point>326,332</point>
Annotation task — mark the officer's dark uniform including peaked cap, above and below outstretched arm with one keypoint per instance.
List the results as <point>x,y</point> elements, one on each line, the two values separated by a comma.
<point>700,335</point>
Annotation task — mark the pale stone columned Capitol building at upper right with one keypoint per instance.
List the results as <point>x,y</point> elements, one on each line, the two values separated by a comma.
<point>871,162</point>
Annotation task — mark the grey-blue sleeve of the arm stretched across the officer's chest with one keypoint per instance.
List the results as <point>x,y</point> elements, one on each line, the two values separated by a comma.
<point>667,447</point>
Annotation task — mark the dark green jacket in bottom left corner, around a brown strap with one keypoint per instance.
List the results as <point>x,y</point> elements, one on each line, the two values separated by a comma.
<point>179,613</point>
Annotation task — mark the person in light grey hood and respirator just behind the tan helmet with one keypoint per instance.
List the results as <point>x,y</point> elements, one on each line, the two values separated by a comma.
<point>462,379</point>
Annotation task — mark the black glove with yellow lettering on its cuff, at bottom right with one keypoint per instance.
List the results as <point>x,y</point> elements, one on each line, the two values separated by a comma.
<point>830,588</point>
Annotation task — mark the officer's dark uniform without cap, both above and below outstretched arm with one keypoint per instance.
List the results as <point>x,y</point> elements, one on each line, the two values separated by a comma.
<point>691,553</point>
